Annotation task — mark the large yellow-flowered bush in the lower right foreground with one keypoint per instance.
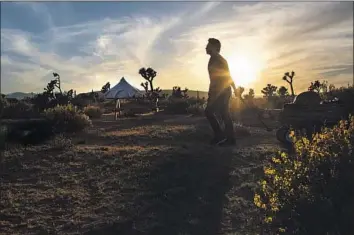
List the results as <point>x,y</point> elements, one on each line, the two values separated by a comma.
<point>311,192</point>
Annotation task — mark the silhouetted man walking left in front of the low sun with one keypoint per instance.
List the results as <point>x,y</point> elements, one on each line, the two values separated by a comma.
<point>219,95</point>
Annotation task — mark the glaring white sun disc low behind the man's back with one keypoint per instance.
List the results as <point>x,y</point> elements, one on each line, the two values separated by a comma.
<point>244,70</point>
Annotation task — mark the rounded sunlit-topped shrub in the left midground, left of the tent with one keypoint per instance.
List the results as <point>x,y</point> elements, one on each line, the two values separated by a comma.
<point>65,119</point>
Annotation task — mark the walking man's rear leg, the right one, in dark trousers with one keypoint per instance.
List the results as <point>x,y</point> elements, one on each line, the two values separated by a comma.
<point>226,117</point>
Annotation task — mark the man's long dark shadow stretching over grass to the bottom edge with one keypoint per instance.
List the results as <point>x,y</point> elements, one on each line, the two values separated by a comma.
<point>182,194</point>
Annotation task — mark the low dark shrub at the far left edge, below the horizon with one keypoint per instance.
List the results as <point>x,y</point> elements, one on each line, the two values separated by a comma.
<point>18,110</point>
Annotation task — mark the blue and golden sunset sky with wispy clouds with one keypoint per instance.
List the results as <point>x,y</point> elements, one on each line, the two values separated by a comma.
<point>91,43</point>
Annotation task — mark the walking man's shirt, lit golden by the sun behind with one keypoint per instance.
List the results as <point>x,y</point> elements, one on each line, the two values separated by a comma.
<point>219,75</point>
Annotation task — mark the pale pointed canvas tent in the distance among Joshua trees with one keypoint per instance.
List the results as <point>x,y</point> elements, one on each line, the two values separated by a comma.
<point>123,90</point>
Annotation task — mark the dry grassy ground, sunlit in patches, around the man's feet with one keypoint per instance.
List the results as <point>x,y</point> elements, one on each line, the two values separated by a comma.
<point>135,176</point>
